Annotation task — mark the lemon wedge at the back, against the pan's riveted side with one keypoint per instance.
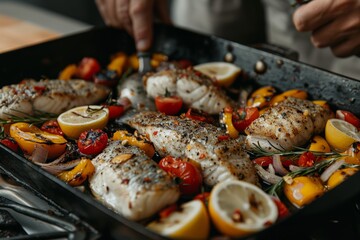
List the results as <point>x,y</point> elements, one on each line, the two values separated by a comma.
<point>224,73</point>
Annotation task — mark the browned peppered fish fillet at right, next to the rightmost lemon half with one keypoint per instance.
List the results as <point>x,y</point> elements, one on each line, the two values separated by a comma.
<point>289,124</point>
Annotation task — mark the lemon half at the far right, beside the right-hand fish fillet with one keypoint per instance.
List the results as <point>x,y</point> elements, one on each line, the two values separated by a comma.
<point>340,134</point>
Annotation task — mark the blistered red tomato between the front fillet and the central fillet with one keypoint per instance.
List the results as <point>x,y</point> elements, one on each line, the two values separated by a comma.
<point>189,176</point>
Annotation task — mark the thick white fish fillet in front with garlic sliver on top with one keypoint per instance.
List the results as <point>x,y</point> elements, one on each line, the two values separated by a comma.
<point>130,183</point>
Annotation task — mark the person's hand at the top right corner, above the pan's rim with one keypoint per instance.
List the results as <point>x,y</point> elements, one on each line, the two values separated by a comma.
<point>333,23</point>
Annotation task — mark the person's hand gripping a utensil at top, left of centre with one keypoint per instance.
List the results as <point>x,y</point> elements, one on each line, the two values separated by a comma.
<point>135,16</point>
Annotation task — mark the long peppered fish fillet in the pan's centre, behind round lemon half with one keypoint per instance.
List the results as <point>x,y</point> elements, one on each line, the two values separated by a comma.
<point>219,160</point>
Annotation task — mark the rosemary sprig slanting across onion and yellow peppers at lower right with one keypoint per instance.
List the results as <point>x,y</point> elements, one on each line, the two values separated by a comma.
<point>316,168</point>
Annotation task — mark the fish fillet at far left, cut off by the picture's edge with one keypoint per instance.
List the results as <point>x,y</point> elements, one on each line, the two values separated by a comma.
<point>53,96</point>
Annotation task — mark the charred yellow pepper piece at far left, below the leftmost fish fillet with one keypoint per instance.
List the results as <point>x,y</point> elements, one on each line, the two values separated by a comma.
<point>29,136</point>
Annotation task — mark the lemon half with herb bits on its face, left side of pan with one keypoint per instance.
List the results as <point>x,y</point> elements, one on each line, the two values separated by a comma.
<point>77,120</point>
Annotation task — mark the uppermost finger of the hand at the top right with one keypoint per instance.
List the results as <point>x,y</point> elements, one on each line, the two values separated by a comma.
<point>316,13</point>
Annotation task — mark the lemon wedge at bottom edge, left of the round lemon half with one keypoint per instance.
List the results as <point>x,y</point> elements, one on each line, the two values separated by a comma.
<point>192,222</point>
